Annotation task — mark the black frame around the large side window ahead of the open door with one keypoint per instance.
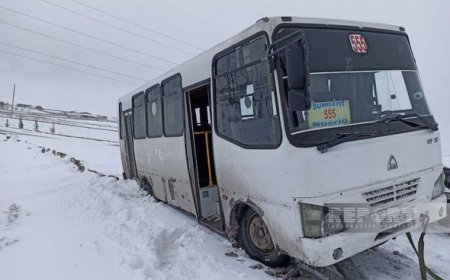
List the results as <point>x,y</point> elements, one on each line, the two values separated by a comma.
<point>214,95</point>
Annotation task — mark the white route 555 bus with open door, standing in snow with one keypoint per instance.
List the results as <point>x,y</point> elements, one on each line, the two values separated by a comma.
<point>266,136</point>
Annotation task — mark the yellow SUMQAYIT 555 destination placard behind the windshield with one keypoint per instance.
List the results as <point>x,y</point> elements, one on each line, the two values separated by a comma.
<point>329,114</point>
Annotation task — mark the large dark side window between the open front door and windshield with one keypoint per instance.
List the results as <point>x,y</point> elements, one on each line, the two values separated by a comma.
<point>246,111</point>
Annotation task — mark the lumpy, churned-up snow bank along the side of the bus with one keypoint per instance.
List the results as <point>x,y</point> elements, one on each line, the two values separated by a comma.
<point>154,240</point>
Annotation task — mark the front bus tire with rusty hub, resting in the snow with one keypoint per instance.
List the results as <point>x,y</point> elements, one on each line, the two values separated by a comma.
<point>255,239</point>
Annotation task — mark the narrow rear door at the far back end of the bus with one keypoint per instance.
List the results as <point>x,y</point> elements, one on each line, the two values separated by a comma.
<point>130,170</point>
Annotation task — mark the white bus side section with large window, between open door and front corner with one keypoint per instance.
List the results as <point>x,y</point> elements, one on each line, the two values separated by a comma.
<point>249,151</point>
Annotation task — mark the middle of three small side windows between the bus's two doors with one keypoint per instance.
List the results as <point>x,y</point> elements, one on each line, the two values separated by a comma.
<point>154,111</point>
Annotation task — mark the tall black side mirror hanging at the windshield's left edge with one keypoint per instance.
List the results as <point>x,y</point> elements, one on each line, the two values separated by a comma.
<point>297,76</point>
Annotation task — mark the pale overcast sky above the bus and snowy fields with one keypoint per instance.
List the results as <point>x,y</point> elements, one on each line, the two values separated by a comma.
<point>53,29</point>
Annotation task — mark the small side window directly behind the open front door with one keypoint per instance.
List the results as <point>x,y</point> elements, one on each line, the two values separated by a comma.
<point>173,106</point>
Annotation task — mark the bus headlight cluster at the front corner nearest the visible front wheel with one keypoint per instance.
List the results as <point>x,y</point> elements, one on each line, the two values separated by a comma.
<point>319,221</point>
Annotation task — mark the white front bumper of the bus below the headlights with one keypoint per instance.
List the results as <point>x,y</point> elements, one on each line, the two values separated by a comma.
<point>335,248</point>
